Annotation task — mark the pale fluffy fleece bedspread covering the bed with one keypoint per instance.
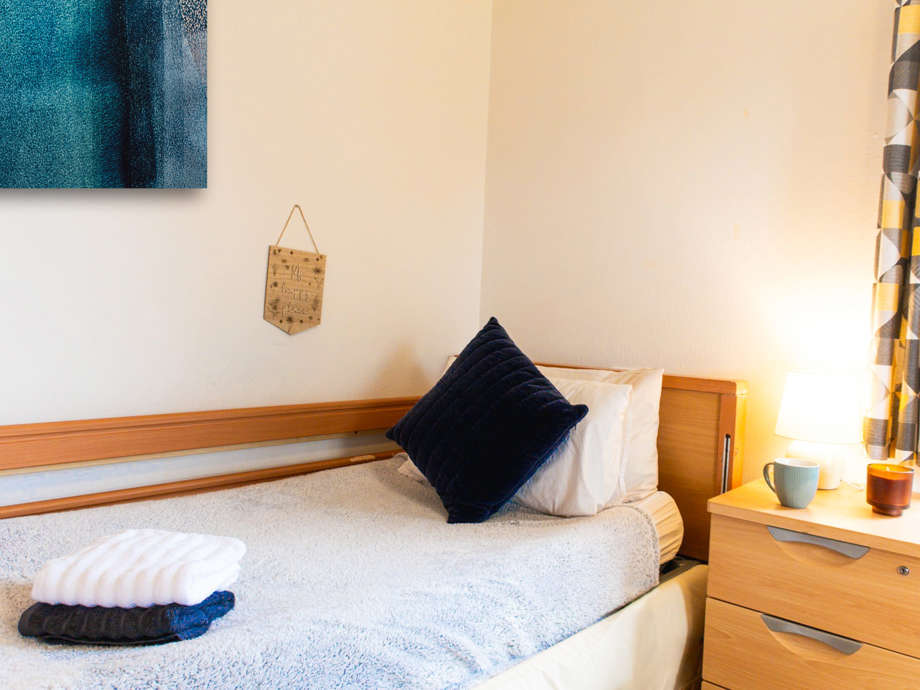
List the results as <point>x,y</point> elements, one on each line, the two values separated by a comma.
<point>352,579</point>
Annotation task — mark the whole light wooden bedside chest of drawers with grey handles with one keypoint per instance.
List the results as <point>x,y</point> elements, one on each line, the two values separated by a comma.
<point>823,597</point>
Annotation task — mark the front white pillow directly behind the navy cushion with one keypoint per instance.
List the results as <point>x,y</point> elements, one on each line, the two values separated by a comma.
<point>584,474</point>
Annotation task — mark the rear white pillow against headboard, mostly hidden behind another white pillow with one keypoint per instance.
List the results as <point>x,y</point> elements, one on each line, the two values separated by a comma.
<point>640,466</point>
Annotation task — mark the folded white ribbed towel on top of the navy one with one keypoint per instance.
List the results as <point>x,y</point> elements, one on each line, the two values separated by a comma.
<point>141,567</point>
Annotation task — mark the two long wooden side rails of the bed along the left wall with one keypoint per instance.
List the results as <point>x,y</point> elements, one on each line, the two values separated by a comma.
<point>25,446</point>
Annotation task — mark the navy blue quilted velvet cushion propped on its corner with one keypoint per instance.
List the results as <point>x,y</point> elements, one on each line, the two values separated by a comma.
<point>486,426</point>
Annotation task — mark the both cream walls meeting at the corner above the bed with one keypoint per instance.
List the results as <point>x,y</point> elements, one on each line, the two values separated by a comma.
<point>690,186</point>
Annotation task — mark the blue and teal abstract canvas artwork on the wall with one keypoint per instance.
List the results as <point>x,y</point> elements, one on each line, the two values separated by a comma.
<point>103,93</point>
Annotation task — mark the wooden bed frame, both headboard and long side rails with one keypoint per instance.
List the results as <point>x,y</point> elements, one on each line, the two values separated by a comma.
<point>700,444</point>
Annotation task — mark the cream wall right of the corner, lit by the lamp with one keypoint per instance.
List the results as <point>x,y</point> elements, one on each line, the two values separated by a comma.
<point>687,185</point>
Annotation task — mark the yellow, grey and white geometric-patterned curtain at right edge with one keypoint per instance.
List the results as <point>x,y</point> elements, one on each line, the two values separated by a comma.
<point>892,424</point>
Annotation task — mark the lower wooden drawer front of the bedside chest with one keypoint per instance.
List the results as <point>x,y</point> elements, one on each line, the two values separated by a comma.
<point>740,651</point>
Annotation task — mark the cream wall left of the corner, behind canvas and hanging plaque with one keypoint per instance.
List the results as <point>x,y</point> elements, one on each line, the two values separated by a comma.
<point>372,114</point>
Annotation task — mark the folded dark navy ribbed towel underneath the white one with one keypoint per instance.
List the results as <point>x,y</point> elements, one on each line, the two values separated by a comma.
<point>62,624</point>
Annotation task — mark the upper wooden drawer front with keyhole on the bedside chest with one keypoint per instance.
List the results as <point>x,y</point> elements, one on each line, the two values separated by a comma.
<point>860,595</point>
